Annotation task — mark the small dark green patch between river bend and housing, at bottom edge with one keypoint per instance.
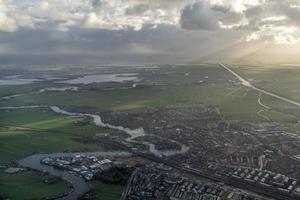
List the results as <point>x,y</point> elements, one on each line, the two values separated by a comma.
<point>107,191</point>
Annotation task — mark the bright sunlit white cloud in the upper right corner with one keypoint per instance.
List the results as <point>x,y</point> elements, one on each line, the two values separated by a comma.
<point>274,21</point>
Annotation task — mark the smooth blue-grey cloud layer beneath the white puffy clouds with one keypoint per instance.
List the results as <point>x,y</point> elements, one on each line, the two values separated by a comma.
<point>164,44</point>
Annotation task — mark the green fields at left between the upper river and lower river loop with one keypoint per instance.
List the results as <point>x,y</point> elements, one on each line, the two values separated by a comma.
<point>46,132</point>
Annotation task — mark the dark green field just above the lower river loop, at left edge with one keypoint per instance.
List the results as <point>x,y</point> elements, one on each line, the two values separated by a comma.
<point>16,145</point>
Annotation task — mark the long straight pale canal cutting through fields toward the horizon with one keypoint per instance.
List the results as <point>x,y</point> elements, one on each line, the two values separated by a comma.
<point>248,84</point>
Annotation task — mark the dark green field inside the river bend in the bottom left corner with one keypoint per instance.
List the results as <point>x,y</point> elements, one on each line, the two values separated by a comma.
<point>28,186</point>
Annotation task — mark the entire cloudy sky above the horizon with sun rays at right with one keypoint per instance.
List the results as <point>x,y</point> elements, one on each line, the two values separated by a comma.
<point>148,31</point>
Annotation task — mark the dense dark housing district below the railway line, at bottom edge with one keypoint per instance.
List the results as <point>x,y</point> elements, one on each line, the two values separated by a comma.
<point>159,182</point>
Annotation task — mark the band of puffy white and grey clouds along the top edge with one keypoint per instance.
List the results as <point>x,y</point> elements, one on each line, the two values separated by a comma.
<point>122,14</point>
